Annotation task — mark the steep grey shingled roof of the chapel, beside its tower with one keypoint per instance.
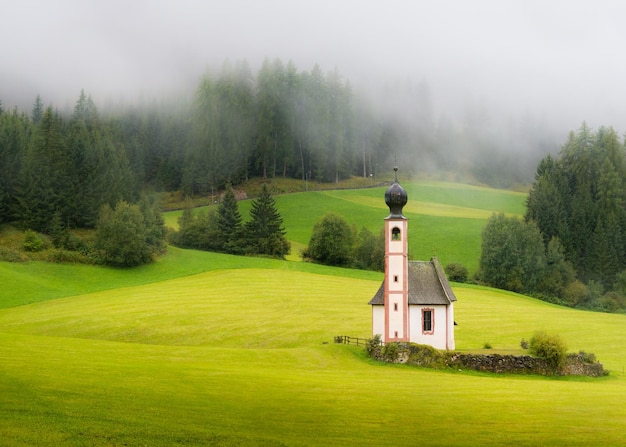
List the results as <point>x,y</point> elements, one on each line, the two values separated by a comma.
<point>427,285</point>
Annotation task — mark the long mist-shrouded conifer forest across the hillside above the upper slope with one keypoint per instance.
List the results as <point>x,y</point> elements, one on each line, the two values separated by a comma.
<point>279,122</point>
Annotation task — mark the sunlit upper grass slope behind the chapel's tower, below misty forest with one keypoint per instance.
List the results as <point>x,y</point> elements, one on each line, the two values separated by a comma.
<point>450,217</point>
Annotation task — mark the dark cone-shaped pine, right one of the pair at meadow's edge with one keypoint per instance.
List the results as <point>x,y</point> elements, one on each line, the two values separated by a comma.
<point>264,232</point>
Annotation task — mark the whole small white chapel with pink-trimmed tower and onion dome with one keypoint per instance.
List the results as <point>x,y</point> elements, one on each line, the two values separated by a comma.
<point>415,302</point>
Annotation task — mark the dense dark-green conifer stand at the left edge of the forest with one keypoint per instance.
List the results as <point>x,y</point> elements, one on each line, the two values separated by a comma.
<point>66,166</point>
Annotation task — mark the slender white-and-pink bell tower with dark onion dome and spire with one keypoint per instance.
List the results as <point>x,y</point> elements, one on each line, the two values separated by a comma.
<point>396,302</point>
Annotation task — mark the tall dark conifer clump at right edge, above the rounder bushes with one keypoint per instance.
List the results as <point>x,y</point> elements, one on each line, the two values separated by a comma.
<point>580,199</point>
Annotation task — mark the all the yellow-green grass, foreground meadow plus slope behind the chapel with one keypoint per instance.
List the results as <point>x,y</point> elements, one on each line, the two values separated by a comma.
<point>210,349</point>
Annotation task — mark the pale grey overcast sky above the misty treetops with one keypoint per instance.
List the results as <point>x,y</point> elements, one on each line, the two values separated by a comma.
<point>560,60</point>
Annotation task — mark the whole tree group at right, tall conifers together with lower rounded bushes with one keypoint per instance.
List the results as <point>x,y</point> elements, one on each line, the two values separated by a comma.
<point>571,244</point>
